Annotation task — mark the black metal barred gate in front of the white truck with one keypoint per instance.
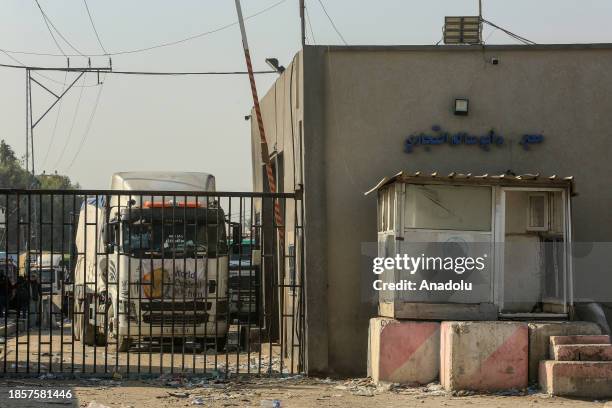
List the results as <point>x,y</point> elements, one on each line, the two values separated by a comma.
<point>150,282</point>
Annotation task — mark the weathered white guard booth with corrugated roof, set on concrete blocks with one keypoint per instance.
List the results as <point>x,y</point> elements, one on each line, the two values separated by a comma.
<point>489,246</point>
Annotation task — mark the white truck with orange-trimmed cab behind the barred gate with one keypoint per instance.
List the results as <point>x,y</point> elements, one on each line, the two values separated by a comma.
<point>152,268</point>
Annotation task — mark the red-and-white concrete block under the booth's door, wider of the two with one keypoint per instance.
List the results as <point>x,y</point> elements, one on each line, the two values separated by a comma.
<point>483,356</point>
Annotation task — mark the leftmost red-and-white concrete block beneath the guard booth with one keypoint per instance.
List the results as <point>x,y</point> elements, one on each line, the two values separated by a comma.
<point>405,352</point>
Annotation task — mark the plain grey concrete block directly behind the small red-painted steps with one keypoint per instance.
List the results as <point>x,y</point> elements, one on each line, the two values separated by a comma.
<point>539,340</point>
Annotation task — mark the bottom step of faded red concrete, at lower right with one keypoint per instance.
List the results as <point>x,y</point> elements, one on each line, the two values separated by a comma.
<point>591,379</point>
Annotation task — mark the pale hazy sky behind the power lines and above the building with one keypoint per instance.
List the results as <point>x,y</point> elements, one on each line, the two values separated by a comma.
<point>197,123</point>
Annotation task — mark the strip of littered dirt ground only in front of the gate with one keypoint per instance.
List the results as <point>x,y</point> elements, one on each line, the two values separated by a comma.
<point>296,391</point>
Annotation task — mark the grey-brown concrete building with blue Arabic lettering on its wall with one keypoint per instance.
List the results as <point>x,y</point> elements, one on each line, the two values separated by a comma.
<point>339,119</point>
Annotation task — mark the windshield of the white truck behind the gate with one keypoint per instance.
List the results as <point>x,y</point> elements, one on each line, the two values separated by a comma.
<point>155,237</point>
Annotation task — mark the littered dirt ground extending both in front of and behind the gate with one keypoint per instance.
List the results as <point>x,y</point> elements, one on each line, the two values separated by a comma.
<point>96,389</point>
